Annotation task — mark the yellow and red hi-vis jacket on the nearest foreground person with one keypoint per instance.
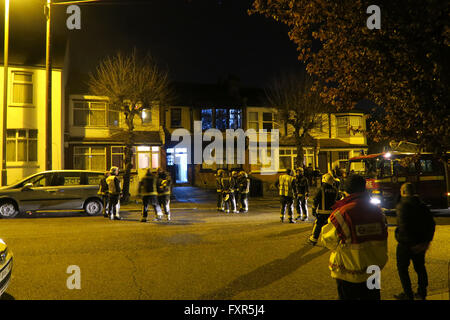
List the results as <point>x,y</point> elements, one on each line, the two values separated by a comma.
<point>357,235</point>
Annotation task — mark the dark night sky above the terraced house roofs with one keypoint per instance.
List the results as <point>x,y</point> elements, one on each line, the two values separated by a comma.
<point>199,41</point>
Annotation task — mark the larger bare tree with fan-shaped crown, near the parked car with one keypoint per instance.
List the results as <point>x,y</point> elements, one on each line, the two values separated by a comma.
<point>132,83</point>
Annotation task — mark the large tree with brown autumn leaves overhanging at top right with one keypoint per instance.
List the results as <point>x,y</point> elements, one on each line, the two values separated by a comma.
<point>402,67</point>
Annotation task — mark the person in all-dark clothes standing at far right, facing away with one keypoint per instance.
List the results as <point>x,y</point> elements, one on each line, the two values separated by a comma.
<point>414,233</point>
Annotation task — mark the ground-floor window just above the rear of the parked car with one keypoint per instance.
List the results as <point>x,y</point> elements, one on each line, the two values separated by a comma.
<point>89,158</point>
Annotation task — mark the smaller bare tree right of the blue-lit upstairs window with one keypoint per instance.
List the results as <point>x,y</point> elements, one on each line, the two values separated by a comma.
<point>298,105</point>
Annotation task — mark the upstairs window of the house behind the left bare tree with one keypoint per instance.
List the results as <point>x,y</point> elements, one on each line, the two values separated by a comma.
<point>89,113</point>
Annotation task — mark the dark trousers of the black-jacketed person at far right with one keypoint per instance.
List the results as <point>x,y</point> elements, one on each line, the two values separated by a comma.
<point>404,256</point>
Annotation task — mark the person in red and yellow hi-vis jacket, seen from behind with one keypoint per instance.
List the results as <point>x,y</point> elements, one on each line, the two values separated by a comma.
<point>357,235</point>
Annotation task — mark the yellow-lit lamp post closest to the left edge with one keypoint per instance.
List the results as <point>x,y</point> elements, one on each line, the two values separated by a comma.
<point>5,95</point>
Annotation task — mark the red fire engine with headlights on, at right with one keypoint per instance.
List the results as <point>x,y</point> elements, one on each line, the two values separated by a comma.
<point>385,173</point>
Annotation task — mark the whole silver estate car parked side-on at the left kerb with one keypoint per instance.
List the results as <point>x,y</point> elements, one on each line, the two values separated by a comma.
<point>53,190</point>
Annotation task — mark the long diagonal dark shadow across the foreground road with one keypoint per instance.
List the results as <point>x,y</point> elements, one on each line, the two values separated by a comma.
<point>265,275</point>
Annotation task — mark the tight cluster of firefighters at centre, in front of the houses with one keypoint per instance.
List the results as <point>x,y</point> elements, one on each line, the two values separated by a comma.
<point>232,191</point>
